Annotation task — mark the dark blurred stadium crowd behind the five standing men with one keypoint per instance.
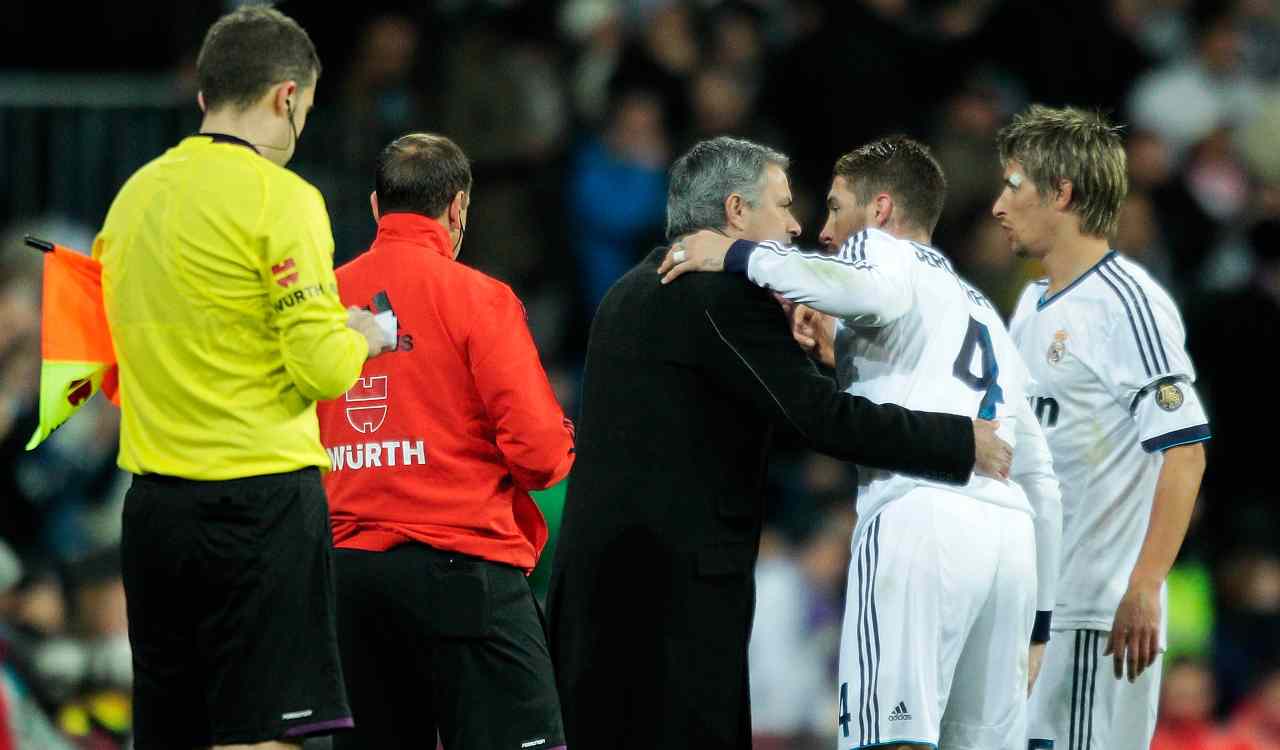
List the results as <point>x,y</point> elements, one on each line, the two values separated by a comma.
<point>572,112</point>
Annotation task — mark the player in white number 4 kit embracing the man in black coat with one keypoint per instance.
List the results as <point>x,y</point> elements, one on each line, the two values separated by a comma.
<point>943,589</point>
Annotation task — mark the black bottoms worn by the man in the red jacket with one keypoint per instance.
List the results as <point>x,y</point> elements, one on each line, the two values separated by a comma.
<point>437,642</point>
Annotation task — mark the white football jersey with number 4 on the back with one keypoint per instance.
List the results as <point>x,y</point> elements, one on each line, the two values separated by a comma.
<point>912,332</point>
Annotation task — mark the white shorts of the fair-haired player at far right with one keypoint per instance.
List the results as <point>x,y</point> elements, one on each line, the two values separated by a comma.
<point>1078,705</point>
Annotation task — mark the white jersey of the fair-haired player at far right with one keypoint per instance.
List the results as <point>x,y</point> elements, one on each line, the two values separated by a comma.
<point>1113,387</point>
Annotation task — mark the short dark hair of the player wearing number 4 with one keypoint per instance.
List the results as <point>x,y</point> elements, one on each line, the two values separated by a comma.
<point>903,168</point>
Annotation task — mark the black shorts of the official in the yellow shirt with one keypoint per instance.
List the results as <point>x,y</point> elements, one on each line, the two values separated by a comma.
<point>231,605</point>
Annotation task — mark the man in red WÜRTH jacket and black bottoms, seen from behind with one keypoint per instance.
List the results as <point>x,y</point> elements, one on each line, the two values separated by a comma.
<point>433,455</point>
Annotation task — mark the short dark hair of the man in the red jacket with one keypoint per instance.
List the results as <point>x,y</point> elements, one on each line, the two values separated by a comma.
<point>420,173</point>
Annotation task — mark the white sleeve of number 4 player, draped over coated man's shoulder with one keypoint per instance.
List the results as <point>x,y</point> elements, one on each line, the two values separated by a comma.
<point>868,282</point>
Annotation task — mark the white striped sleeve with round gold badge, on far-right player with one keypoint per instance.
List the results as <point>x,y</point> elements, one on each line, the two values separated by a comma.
<point>1146,368</point>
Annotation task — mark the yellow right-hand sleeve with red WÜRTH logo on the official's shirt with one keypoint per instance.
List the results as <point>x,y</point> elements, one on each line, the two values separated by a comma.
<point>322,355</point>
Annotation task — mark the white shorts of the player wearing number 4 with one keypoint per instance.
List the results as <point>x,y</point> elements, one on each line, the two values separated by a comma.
<point>938,624</point>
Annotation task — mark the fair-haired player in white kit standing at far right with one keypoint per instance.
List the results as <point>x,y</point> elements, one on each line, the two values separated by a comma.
<point>1113,386</point>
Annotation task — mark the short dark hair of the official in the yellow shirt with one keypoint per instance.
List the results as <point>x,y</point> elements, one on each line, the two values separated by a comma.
<point>248,52</point>
